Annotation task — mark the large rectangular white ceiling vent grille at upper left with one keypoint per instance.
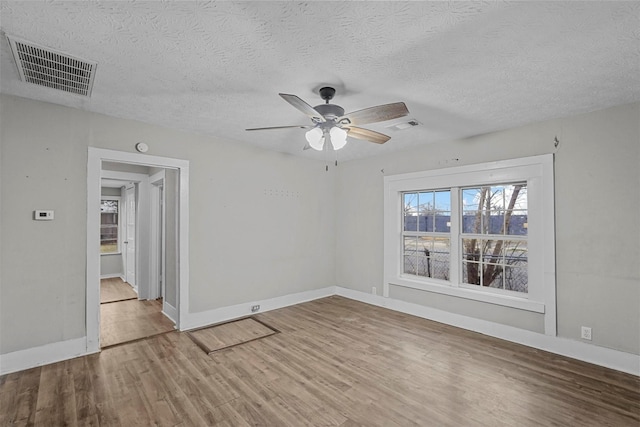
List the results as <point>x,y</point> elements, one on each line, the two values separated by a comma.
<point>46,67</point>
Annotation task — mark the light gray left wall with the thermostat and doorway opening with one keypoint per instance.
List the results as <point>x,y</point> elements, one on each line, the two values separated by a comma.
<point>261,222</point>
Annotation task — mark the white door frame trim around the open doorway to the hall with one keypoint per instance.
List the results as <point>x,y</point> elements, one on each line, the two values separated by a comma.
<point>95,158</point>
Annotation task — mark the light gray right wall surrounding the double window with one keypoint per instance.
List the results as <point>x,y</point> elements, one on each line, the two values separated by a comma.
<point>597,203</point>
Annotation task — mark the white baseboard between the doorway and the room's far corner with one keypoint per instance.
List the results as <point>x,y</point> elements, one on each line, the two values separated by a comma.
<point>223,314</point>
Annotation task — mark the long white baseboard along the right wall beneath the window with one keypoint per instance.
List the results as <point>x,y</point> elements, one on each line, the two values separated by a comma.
<point>609,358</point>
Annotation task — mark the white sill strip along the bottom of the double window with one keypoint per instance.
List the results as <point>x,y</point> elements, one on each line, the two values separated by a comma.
<point>491,298</point>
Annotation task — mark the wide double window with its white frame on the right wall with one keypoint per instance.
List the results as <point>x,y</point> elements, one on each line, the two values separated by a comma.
<point>483,232</point>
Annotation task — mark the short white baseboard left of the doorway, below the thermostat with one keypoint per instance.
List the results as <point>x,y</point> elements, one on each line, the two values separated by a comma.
<point>42,355</point>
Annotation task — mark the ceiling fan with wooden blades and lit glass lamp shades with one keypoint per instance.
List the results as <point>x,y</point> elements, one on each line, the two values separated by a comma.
<point>329,123</point>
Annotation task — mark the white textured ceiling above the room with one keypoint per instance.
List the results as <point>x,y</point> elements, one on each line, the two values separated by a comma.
<point>462,68</point>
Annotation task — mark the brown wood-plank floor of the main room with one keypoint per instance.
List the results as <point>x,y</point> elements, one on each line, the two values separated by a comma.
<point>335,362</point>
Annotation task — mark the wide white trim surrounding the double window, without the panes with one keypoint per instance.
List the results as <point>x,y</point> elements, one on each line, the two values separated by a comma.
<point>537,171</point>
